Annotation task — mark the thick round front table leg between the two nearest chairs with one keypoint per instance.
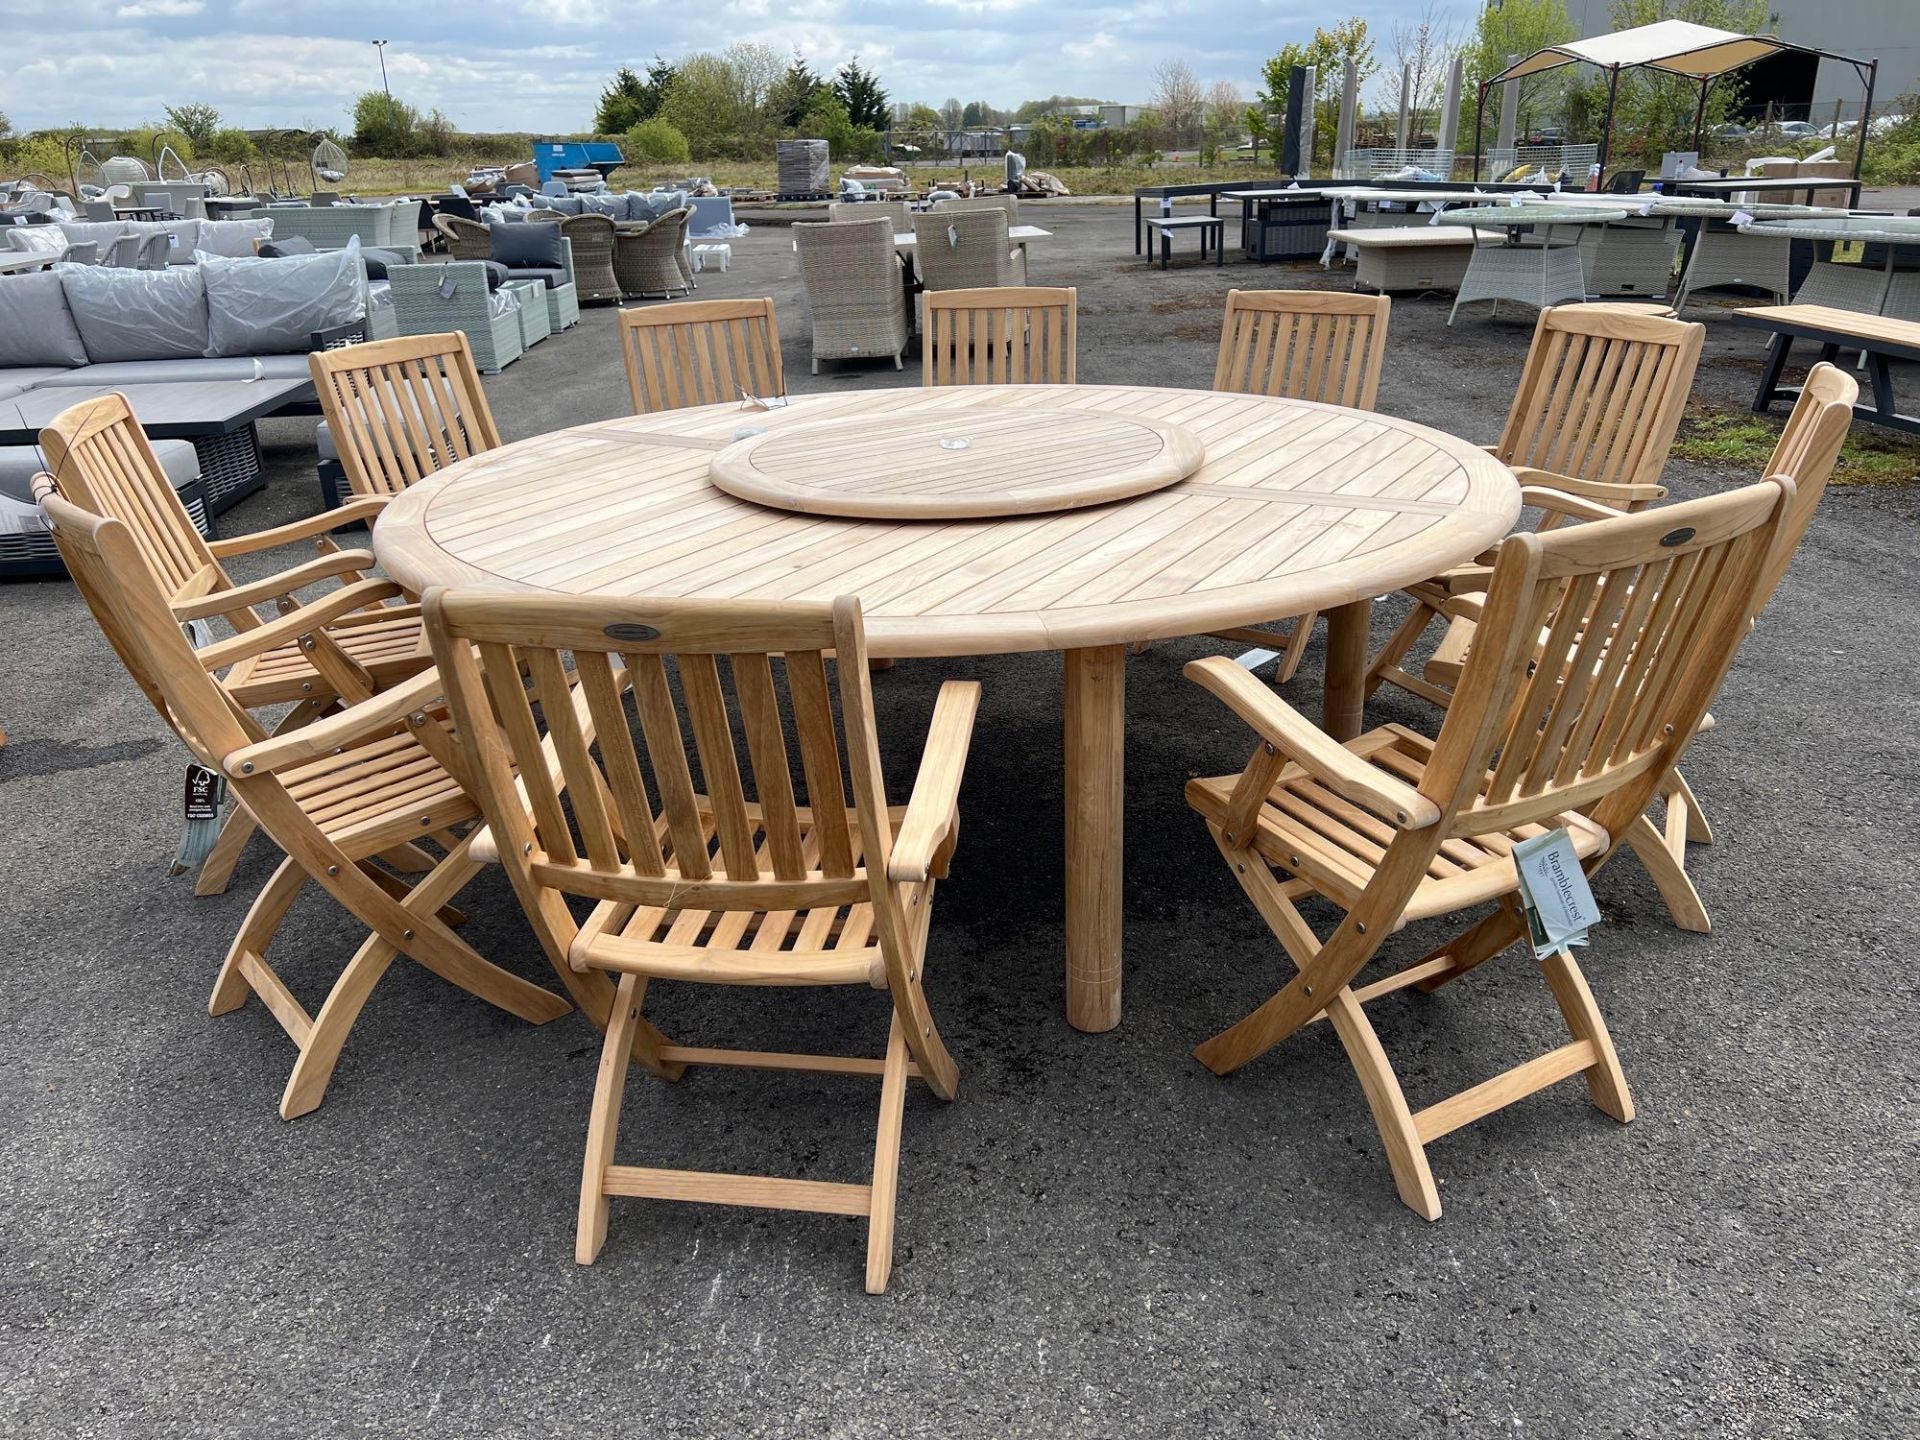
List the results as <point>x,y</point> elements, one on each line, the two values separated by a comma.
<point>1095,771</point>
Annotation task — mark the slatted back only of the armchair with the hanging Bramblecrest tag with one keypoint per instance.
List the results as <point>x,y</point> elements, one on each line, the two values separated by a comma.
<point>1596,658</point>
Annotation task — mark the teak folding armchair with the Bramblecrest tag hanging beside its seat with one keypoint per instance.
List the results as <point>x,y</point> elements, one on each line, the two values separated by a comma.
<point>1643,619</point>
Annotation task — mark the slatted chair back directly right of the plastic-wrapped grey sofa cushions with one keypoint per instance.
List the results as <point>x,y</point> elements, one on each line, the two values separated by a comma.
<point>400,410</point>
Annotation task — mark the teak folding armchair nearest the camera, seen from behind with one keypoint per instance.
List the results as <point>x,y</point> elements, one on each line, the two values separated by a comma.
<point>734,886</point>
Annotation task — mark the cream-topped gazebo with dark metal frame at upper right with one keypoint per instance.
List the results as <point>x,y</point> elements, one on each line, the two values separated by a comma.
<point>1673,47</point>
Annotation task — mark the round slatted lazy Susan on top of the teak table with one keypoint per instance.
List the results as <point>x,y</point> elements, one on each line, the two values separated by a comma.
<point>934,460</point>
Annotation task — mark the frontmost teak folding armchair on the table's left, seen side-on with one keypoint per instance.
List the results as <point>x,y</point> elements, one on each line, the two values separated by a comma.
<point>335,794</point>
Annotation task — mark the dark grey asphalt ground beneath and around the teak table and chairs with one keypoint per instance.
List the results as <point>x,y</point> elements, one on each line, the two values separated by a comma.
<point>1097,1237</point>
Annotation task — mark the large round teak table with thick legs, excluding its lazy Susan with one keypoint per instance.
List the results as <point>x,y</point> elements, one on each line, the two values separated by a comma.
<point>1297,508</point>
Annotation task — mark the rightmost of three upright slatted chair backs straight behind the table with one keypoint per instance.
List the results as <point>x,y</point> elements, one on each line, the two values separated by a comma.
<point>1305,345</point>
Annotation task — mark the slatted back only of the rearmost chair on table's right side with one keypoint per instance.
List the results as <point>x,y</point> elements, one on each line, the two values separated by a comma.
<point>1602,396</point>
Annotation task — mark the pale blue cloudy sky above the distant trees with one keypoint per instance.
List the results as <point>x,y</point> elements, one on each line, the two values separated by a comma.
<point>540,64</point>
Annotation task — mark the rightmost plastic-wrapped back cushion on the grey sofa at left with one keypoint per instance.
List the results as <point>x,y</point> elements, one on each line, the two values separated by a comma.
<point>274,306</point>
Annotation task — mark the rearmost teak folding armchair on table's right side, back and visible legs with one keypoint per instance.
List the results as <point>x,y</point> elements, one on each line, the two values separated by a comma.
<point>1595,420</point>
